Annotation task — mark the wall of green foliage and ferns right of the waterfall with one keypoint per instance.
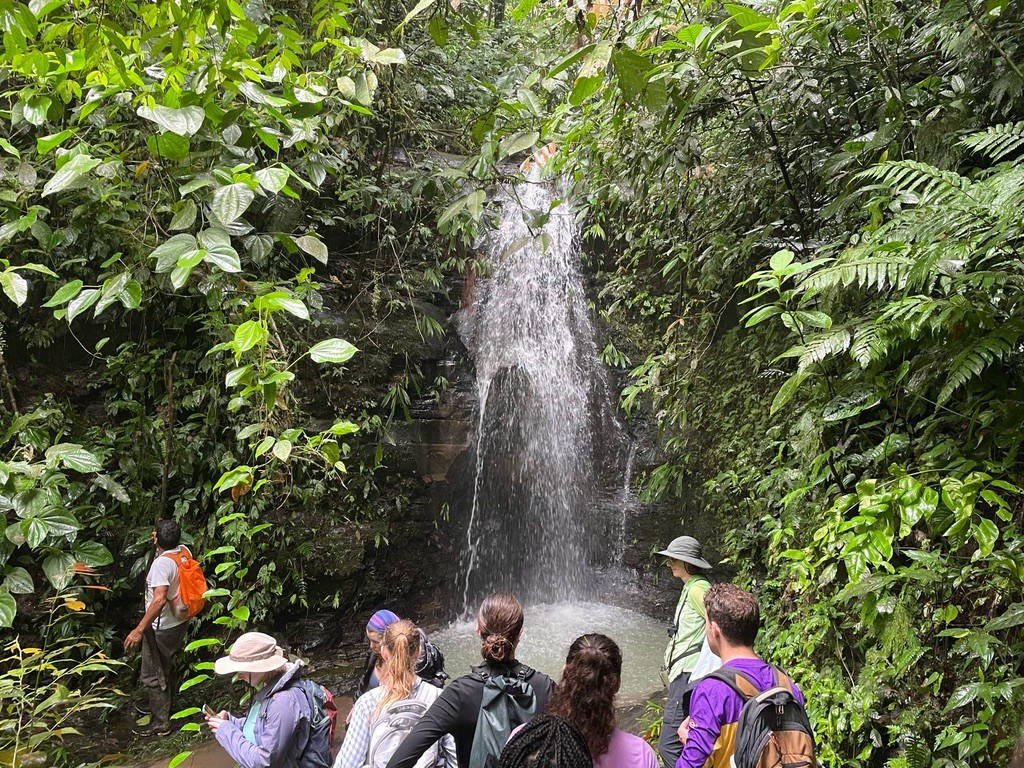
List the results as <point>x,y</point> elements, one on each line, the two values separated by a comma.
<point>849,176</point>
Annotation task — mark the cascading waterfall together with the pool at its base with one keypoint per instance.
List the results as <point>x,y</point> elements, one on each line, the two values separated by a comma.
<point>546,504</point>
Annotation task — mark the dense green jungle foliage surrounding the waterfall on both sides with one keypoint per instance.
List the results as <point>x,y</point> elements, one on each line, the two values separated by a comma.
<point>804,227</point>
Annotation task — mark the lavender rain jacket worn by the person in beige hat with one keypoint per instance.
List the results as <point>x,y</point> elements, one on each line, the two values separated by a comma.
<point>282,728</point>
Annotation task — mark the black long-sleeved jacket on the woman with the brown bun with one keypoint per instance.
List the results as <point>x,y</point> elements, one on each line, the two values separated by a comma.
<point>457,711</point>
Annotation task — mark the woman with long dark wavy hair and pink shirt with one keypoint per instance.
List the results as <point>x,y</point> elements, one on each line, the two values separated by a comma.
<point>586,697</point>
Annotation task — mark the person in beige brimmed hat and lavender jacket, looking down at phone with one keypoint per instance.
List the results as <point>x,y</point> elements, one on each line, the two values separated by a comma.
<point>276,732</point>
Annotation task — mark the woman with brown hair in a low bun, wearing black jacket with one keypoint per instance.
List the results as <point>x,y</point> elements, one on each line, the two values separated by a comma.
<point>499,624</point>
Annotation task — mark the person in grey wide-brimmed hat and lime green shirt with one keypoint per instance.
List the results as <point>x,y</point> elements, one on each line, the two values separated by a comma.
<point>686,561</point>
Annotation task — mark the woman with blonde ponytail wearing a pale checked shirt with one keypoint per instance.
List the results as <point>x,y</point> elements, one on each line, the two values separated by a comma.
<point>383,717</point>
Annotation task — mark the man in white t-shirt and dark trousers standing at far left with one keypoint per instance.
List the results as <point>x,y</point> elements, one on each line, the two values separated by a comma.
<point>162,629</point>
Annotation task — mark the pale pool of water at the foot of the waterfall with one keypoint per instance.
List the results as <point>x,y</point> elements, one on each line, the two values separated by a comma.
<point>548,631</point>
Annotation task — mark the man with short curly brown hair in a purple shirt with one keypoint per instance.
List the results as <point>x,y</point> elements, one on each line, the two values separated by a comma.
<point>709,736</point>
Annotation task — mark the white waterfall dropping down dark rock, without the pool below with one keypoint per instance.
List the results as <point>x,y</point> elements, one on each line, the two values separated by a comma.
<point>533,346</point>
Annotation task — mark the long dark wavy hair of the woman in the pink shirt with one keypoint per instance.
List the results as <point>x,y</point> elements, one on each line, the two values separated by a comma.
<point>587,692</point>
